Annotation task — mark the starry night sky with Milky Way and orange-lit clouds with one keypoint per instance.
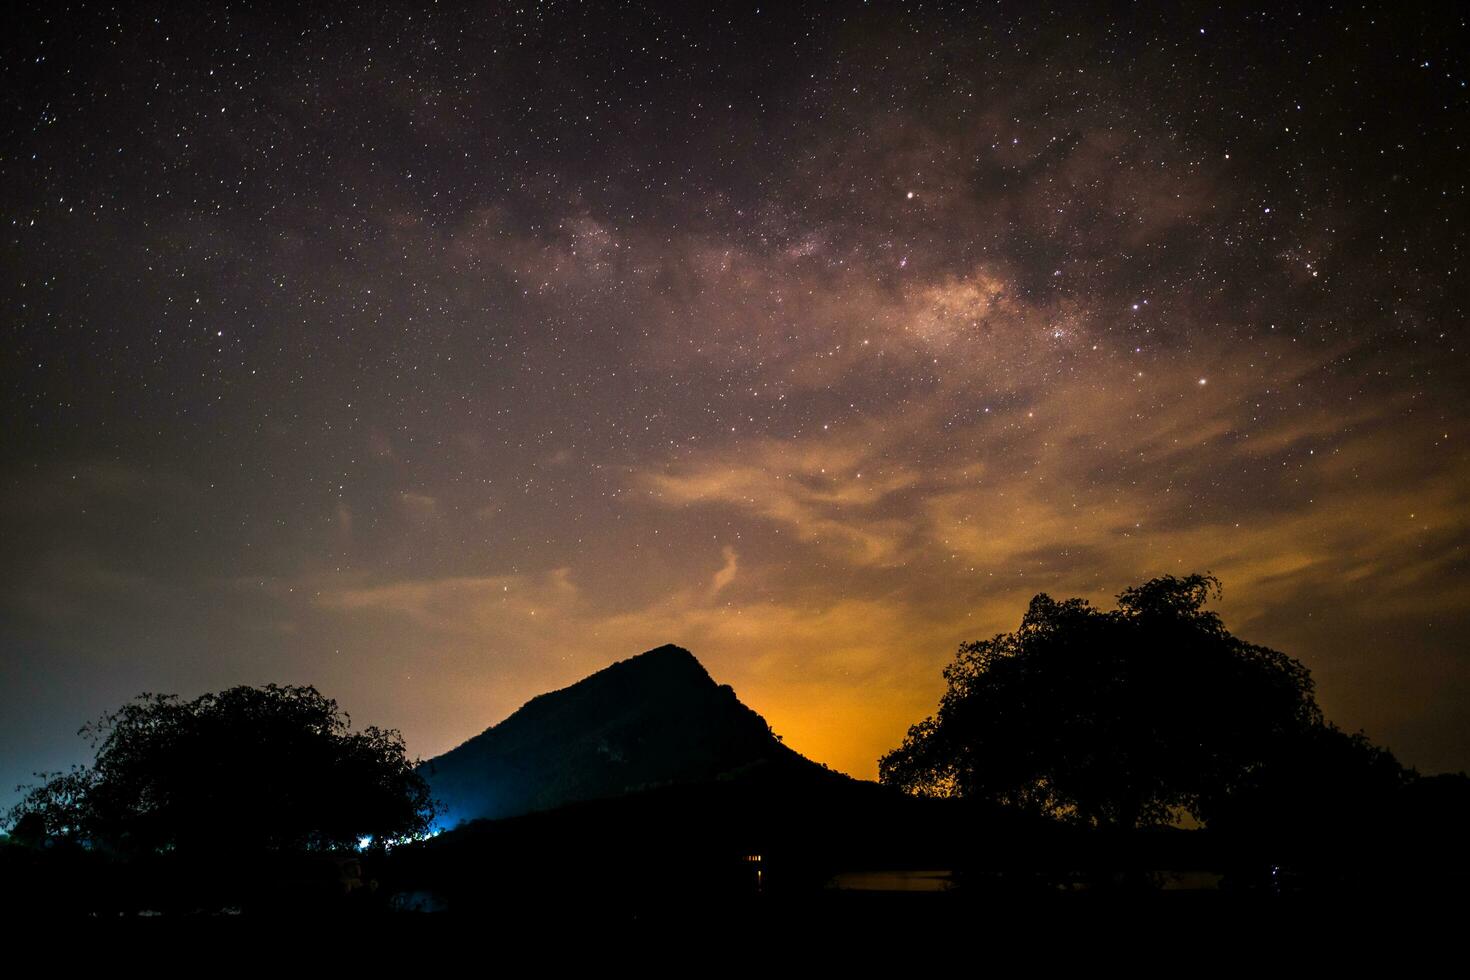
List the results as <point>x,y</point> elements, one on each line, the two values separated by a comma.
<point>440,356</point>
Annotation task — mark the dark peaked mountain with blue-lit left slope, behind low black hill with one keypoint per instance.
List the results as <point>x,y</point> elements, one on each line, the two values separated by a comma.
<point>653,721</point>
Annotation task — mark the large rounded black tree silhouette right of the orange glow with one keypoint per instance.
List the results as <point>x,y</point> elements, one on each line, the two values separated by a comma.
<point>1114,719</point>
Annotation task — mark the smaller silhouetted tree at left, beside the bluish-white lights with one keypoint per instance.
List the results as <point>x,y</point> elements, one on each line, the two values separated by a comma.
<point>271,769</point>
